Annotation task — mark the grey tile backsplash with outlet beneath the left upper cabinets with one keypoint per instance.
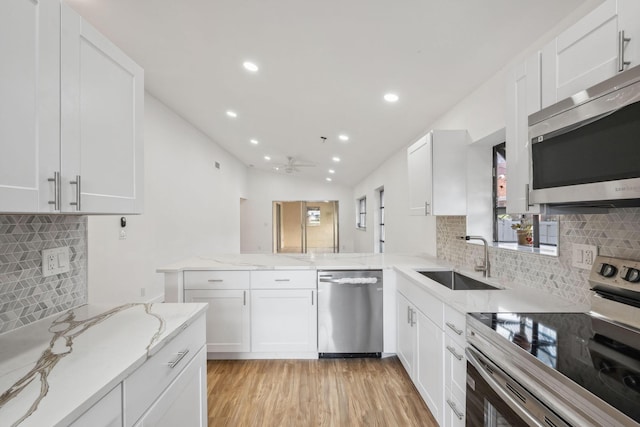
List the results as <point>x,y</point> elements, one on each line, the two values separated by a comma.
<point>25,295</point>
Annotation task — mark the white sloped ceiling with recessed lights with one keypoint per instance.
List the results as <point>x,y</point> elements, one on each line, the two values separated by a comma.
<point>324,67</point>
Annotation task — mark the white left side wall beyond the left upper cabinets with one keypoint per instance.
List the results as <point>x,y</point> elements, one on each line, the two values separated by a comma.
<point>191,208</point>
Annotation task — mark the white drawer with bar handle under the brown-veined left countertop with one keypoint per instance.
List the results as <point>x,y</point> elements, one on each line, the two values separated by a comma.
<point>143,386</point>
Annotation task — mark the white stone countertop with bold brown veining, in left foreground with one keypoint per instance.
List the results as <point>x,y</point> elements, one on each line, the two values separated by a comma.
<point>65,363</point>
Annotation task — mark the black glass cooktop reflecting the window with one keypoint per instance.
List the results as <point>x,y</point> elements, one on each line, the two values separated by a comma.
<point>598,355</point>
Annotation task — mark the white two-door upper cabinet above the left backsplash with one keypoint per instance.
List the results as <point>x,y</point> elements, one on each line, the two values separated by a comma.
<point>71,115</point>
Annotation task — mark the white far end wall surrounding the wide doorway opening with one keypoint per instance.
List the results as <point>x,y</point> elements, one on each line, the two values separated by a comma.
<point>265,188</point>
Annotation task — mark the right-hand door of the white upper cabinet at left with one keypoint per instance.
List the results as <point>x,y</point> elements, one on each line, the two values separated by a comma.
<point>102,93</point>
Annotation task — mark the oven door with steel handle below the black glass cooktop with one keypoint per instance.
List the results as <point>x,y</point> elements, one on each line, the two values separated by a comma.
<point>495,399</point>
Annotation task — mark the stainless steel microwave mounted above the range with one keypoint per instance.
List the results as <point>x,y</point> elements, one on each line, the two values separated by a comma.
<point>585,150</point>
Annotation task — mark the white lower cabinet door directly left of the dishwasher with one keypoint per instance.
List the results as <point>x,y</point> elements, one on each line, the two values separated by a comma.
<point>284,320</point>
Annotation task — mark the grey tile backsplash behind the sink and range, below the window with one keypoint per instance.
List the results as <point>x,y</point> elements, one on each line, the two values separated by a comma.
<point>616,234</point>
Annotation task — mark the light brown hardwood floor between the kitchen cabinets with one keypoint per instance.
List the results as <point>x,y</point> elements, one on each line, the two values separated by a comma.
<point>325,392</point>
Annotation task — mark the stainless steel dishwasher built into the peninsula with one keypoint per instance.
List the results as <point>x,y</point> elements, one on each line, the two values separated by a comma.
<point>350,313</point>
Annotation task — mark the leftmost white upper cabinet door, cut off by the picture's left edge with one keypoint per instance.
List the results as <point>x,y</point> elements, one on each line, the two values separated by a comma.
<point>29,103</point>
